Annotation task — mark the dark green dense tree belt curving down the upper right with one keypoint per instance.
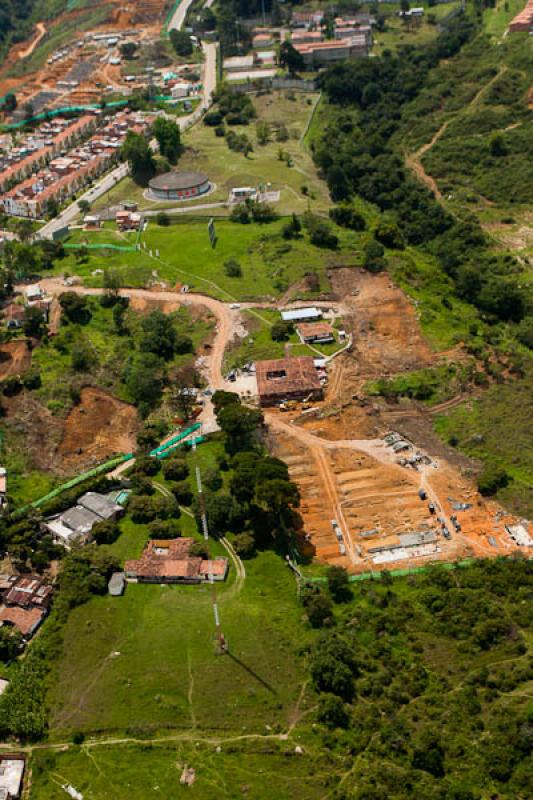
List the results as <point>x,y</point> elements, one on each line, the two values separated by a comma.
<point>360,153</point>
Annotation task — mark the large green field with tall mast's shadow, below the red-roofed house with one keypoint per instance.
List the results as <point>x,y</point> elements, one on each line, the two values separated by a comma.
<point>167,674</point>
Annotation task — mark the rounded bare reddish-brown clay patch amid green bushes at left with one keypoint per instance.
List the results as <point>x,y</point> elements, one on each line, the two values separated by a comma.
<point>99,427</point>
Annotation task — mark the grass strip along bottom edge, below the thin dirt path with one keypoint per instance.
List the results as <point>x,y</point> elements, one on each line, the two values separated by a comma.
<point>259,769</point>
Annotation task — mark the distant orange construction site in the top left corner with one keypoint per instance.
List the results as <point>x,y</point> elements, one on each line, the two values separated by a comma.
<point>88,66</point>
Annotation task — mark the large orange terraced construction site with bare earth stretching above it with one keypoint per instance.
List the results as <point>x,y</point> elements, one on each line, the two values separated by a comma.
<point>379,490</point>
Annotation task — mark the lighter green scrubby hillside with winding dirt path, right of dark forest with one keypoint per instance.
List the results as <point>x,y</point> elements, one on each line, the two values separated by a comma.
<point>486,148</point>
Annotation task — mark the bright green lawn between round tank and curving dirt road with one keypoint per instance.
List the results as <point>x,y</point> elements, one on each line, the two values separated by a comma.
<point>269,263</point>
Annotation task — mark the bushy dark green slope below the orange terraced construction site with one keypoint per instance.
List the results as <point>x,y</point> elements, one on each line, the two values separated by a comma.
<point>424,683</point>
